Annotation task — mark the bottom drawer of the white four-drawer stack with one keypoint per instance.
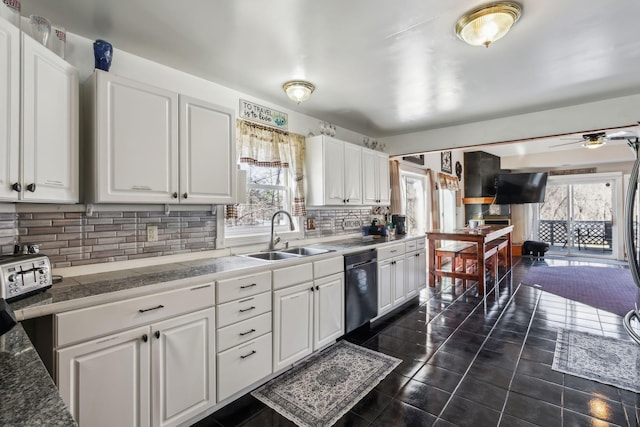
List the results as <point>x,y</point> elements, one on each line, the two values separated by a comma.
<point>243,365</point>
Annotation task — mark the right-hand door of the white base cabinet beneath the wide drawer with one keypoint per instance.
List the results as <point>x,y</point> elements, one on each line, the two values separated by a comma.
<point>183,367</point>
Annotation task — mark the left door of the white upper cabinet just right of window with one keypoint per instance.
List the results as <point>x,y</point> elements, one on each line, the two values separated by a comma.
<point>334,173</point>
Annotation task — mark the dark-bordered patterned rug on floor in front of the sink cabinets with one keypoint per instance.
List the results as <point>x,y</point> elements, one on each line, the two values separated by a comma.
<point>319,392</point>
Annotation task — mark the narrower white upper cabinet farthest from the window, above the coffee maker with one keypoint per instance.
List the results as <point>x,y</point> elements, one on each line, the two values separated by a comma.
<point>376,181</point>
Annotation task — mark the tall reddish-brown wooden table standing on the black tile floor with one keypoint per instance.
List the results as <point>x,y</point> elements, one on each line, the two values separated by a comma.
<point>482,237</point>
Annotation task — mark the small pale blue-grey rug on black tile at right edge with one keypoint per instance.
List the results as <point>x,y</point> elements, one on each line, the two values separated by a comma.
<point>594,357</point>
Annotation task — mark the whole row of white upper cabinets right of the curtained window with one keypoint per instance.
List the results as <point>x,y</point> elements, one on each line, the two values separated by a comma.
<point>340,173</point>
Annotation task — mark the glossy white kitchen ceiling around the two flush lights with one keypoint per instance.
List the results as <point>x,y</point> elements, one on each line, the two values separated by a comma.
<point>381,68</point>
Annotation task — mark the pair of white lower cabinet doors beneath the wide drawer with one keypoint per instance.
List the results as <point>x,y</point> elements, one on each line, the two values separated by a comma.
<point>161,374</point>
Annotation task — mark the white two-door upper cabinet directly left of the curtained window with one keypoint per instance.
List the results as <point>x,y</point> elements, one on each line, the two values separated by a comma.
<point>150,145</point>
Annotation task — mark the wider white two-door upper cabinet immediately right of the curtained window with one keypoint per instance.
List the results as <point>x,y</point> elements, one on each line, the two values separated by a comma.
<point>334,169</point>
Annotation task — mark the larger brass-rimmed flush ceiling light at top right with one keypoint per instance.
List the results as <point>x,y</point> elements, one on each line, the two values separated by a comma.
<point>488,23</point>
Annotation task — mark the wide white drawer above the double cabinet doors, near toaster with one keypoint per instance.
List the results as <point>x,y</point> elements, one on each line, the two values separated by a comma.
<point>85,323</point>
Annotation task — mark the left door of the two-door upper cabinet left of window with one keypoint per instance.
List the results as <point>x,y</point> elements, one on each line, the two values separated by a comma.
<point>137,142</point>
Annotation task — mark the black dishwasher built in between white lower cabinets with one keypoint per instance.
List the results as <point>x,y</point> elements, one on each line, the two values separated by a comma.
<point>361,288</point>
